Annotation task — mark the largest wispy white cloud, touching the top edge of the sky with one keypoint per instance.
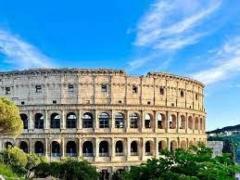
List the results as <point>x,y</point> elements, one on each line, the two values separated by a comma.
<point>171,25</point>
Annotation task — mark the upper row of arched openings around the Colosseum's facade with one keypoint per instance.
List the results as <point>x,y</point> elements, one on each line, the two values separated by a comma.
<point>119,119</point>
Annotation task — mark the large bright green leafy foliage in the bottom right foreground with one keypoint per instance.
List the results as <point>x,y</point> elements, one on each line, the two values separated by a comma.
<point>193,164</point>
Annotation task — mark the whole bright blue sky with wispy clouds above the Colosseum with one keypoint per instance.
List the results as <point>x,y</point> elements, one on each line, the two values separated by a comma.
<point>199,39</point>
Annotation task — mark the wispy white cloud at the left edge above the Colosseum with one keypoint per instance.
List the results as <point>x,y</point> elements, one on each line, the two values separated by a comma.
<point>21,54</point>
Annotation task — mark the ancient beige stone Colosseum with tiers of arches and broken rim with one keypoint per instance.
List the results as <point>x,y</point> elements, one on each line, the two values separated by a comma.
<point>105,116</point>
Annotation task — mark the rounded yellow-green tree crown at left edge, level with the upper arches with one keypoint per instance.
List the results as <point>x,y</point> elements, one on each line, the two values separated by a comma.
<point>10,121</point>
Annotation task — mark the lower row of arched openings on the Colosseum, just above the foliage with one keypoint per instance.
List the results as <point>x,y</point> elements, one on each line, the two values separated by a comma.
<point>103,148</point>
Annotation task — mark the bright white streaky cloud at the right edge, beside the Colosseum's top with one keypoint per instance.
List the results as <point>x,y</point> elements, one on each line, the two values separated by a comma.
<point>227,63</point>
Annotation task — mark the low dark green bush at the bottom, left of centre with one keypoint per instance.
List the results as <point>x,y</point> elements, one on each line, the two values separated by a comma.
<point>67,169</point>
